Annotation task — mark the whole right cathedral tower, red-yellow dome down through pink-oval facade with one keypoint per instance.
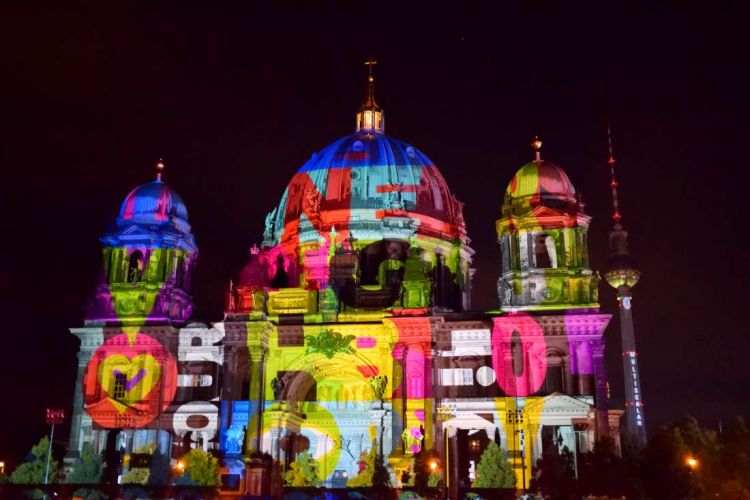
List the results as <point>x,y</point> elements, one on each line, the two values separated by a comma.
<point>547,345</point>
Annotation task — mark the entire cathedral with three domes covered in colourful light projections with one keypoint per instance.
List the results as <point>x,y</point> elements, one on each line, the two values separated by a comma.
<point>350,327</point>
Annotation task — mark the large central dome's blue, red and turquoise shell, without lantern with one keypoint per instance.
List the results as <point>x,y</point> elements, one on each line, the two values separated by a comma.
<point>365,182</point>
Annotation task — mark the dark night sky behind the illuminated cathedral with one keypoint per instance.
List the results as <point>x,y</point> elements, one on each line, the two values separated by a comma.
<point>235,99</point>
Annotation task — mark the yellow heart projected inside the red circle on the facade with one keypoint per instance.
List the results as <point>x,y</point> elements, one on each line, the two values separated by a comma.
<point>134,377</point>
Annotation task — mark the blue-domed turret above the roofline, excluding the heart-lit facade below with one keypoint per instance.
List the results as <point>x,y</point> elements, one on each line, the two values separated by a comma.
<point>147,260</point>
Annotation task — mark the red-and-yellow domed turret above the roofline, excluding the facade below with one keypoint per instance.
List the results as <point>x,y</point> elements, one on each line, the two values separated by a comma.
<point>543,237</point>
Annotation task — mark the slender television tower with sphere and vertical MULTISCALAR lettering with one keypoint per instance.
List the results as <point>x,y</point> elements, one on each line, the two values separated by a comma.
<point>622,275</point>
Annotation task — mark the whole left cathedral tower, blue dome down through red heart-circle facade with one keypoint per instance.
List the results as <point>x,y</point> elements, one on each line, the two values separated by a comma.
<point>127,381</point>
